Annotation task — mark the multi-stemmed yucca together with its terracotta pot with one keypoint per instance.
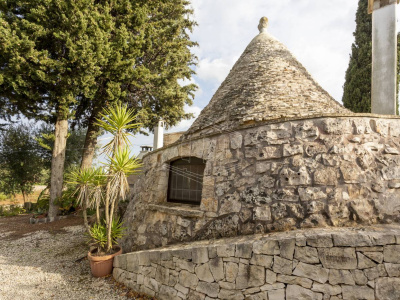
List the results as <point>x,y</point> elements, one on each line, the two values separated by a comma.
<point>113,183</point>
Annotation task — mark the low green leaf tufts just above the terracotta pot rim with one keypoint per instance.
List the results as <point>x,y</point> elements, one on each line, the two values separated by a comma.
<point>98,234</point>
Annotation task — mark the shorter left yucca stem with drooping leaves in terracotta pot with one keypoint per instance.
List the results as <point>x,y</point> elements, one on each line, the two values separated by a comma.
<point>82,178</point>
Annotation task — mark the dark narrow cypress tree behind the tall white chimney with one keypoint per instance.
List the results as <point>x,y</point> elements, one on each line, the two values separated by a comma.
<point>357,86</point>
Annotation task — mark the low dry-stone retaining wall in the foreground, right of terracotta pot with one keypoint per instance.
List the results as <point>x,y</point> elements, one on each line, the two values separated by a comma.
<point>319,264</point>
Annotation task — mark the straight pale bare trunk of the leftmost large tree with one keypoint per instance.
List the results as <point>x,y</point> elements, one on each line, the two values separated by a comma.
<point>57,165</point>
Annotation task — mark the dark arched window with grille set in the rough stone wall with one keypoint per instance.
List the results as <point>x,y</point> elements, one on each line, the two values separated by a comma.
<point>186,180</point>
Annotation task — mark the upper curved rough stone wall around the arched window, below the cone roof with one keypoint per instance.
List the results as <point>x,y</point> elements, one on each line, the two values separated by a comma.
<point>326,171</point>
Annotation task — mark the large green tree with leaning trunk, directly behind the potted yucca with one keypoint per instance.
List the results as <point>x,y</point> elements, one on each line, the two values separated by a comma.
<point>149,59</point>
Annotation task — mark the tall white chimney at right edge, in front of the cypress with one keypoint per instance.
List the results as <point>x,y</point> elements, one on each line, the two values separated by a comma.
<point>384,56</point>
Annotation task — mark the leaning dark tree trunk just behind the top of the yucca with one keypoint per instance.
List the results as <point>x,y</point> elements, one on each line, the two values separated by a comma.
<point>90,140</point>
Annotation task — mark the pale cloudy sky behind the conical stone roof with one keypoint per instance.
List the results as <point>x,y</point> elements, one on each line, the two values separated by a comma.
<point>318,32</point>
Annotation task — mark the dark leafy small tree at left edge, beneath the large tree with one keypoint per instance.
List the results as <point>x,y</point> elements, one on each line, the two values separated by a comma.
<point>21,165</point>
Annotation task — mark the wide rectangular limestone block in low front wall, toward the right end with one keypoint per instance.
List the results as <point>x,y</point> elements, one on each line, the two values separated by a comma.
<point>338,258</point>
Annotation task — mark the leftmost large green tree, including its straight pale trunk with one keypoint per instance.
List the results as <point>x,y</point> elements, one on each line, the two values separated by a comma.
<point>50,52</point>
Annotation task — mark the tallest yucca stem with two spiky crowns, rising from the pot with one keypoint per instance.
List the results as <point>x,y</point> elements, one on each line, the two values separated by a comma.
<point>117,120</point>
